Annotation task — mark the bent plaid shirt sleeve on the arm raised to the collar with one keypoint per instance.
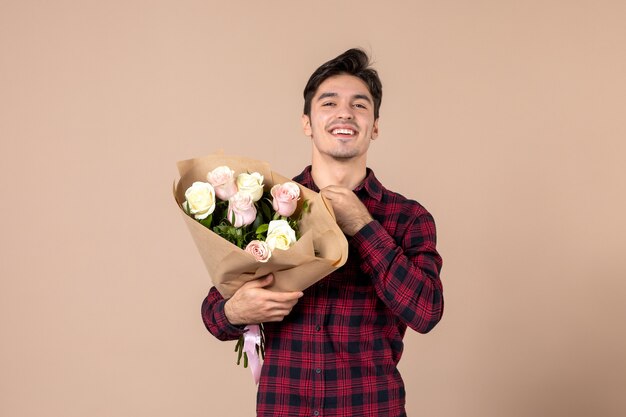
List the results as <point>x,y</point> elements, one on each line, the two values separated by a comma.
<point>405,275</point>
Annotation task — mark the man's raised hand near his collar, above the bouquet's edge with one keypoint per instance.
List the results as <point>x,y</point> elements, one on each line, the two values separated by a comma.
<point>351,214</point>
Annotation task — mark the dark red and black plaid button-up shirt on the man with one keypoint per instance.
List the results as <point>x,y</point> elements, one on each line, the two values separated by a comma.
<point>336,353</point>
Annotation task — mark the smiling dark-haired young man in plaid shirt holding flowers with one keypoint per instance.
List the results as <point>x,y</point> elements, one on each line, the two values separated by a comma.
<point>333,349</point>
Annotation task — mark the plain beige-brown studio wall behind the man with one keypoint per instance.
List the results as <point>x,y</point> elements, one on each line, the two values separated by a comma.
<point>506,119</point>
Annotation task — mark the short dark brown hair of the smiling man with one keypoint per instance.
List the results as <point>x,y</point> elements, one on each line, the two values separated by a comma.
<point>352,62</point>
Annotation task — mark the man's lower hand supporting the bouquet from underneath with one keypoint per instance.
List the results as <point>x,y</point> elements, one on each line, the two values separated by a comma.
<point>252,303</point>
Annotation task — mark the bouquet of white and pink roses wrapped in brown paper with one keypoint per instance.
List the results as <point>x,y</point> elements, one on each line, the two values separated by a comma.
<point>248,221</point>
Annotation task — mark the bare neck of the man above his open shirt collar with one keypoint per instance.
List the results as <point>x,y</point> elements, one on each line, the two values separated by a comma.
<point>347,173</point>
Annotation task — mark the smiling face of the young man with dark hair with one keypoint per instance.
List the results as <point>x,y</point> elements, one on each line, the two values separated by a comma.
<point>342,123</point>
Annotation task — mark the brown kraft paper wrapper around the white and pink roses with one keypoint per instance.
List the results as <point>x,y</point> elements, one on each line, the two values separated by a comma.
<point>321,249</point>
